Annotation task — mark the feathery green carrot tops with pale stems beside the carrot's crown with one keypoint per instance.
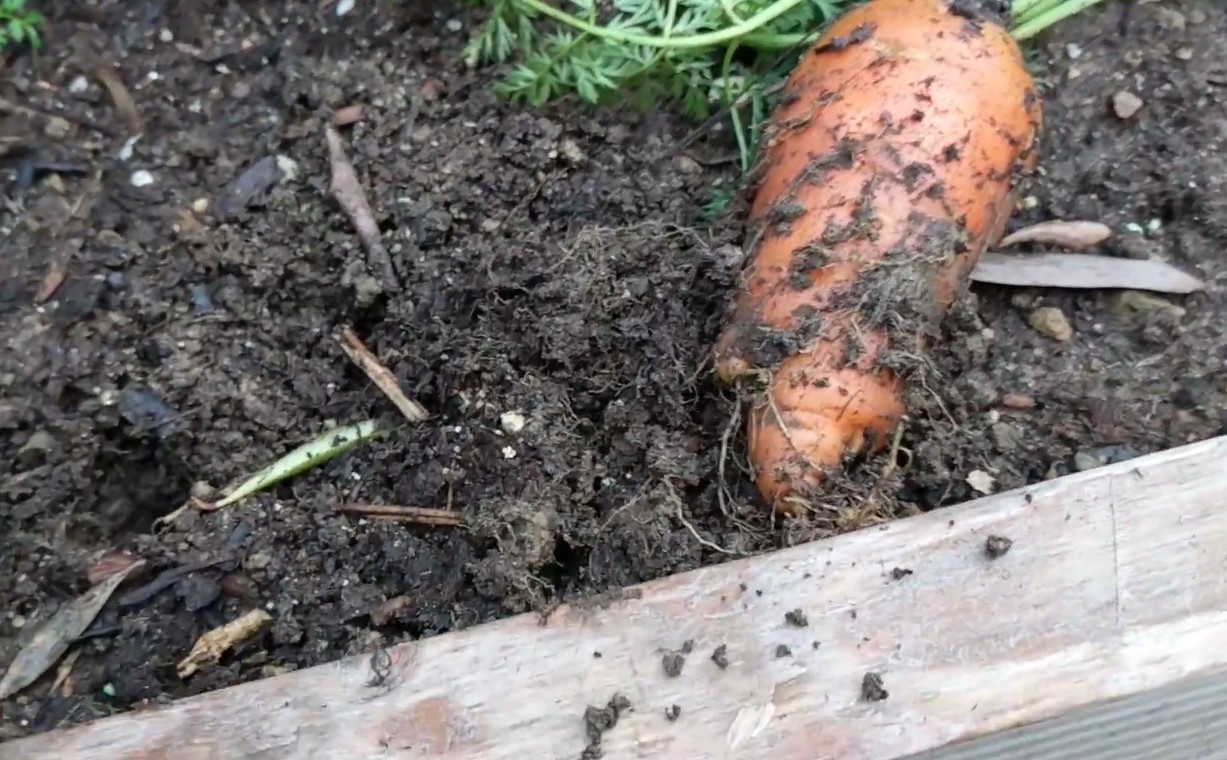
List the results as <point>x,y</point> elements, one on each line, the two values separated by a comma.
<point>704,56</point>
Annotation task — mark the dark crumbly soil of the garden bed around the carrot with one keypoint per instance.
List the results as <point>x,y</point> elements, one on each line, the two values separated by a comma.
<point>550,263</point>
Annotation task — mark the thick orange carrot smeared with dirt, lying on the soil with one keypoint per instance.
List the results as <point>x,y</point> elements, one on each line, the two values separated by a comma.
<point>885,171</point>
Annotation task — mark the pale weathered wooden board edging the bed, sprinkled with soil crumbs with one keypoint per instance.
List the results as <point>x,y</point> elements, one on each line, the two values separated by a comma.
<point>1116,585</point>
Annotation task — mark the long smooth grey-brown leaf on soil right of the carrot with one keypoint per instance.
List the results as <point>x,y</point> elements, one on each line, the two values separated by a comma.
<point>1082,271</point>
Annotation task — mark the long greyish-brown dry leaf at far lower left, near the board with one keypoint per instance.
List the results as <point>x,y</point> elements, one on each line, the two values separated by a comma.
<point>58,634</point>
